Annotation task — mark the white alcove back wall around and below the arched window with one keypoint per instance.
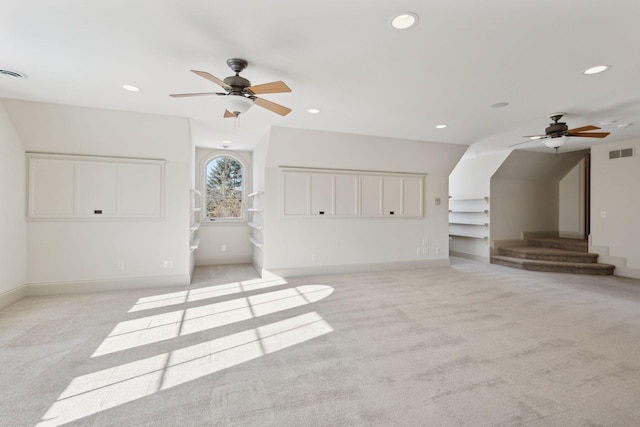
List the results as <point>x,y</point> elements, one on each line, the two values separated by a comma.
<point>234,237</point>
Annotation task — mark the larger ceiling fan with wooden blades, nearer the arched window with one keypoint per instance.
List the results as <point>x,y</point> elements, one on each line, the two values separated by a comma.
<point>239,94</point>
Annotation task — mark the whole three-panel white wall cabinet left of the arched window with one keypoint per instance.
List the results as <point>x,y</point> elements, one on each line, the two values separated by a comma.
<point>81,187</point>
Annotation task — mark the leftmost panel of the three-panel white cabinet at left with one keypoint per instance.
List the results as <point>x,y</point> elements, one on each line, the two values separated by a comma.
<point>51,188</point>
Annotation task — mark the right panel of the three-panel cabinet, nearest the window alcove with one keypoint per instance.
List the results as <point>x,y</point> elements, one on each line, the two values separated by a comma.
<point>139,190</point>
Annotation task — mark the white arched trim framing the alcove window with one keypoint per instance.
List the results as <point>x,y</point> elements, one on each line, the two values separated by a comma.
<point>202,186</point>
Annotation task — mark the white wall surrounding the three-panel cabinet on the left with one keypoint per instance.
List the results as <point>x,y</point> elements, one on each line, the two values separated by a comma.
<point>87,252</point>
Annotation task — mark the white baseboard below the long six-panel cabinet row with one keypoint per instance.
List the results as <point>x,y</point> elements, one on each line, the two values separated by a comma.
<point>355,268</point>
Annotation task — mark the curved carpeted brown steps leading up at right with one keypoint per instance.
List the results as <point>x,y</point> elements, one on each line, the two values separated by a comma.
<point>556,255</point>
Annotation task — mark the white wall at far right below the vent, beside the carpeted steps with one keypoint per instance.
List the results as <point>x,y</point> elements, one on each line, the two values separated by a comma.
<point>615,203</point>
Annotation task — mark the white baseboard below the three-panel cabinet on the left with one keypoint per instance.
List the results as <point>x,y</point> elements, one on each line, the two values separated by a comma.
<point>88,286</point>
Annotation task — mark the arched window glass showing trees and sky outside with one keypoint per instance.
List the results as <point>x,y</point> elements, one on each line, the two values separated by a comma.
<point>224,188</point>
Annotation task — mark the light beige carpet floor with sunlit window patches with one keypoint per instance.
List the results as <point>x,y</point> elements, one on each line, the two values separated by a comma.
<point>468,345</point>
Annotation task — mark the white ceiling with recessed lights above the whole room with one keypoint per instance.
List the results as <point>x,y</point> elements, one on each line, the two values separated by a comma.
<point>342,57</point>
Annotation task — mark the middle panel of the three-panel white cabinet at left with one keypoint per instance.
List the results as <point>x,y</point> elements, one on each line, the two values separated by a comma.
<point>97,189</point>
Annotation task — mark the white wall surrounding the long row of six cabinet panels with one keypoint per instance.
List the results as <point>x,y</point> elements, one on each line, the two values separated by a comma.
<point>338,243</point>
